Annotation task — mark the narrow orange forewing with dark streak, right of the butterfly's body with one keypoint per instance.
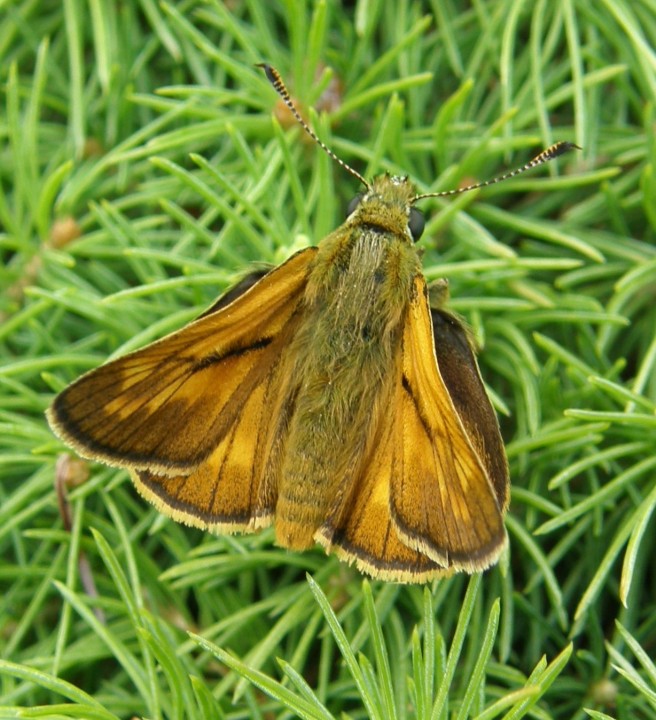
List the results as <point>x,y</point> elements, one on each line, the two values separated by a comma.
<point>445,503</point>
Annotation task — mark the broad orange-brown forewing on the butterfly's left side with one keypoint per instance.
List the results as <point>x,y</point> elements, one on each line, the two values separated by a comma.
<point>165,408</point>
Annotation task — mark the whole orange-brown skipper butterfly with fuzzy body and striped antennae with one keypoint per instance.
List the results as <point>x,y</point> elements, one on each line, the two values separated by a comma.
<point>325,397</point>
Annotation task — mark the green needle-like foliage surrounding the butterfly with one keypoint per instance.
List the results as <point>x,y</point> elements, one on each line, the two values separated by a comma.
<point>140,172</point>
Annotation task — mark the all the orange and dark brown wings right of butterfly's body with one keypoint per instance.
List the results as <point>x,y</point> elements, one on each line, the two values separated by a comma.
<point>429,497</point>
